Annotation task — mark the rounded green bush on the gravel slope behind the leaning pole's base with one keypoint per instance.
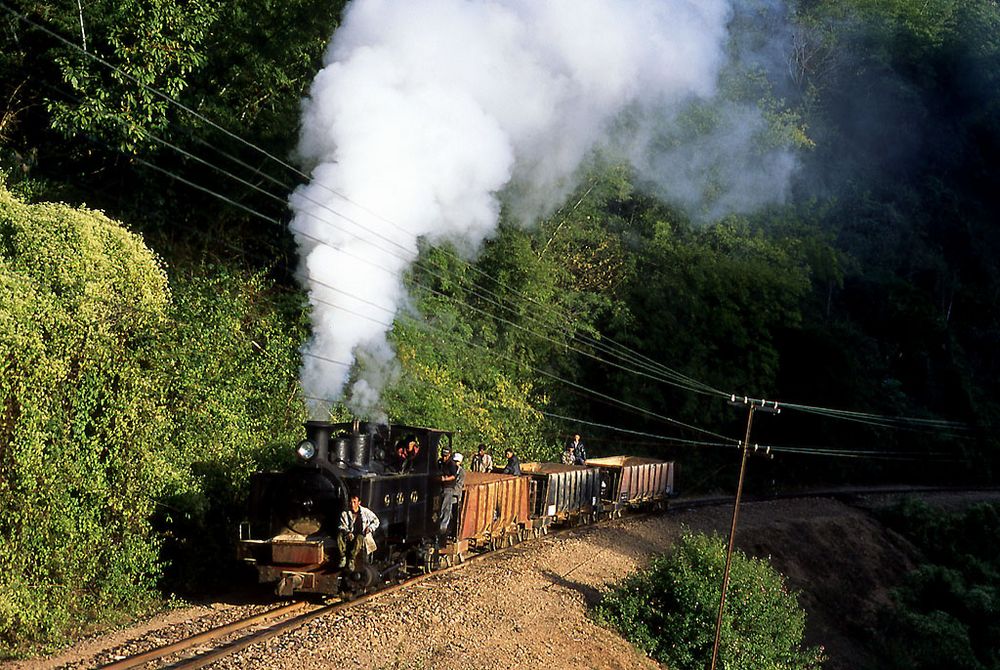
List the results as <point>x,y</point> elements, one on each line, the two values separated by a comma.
<point>669,611</point>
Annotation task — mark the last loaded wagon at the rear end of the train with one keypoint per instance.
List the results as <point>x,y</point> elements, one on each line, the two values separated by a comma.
<point>633,481</point>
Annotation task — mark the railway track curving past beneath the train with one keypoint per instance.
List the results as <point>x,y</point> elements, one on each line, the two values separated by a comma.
<point>215,644</point>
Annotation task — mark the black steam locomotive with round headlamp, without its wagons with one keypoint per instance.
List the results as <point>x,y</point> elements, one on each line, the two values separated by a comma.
<point>291,534</point>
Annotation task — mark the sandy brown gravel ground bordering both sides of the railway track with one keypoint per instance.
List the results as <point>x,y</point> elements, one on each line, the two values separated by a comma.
<point>529,607</point>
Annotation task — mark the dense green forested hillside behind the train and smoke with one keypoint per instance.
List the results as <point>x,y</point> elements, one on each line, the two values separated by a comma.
<point>146,377</point>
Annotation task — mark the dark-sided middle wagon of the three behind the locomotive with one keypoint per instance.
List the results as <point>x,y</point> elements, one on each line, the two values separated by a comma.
<point>561,492</point>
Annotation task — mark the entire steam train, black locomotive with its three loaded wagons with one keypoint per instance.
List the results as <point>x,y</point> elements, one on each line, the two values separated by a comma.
<point>290,534</point>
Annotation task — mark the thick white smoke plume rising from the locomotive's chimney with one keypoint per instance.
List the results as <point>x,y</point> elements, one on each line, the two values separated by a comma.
<point>426,112</point>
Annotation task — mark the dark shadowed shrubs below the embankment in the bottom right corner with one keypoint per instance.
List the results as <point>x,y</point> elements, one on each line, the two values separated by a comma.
<point>947,612</point>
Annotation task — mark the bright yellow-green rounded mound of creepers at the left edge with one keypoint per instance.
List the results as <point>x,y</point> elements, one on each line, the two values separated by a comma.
<point>80,303</point>
